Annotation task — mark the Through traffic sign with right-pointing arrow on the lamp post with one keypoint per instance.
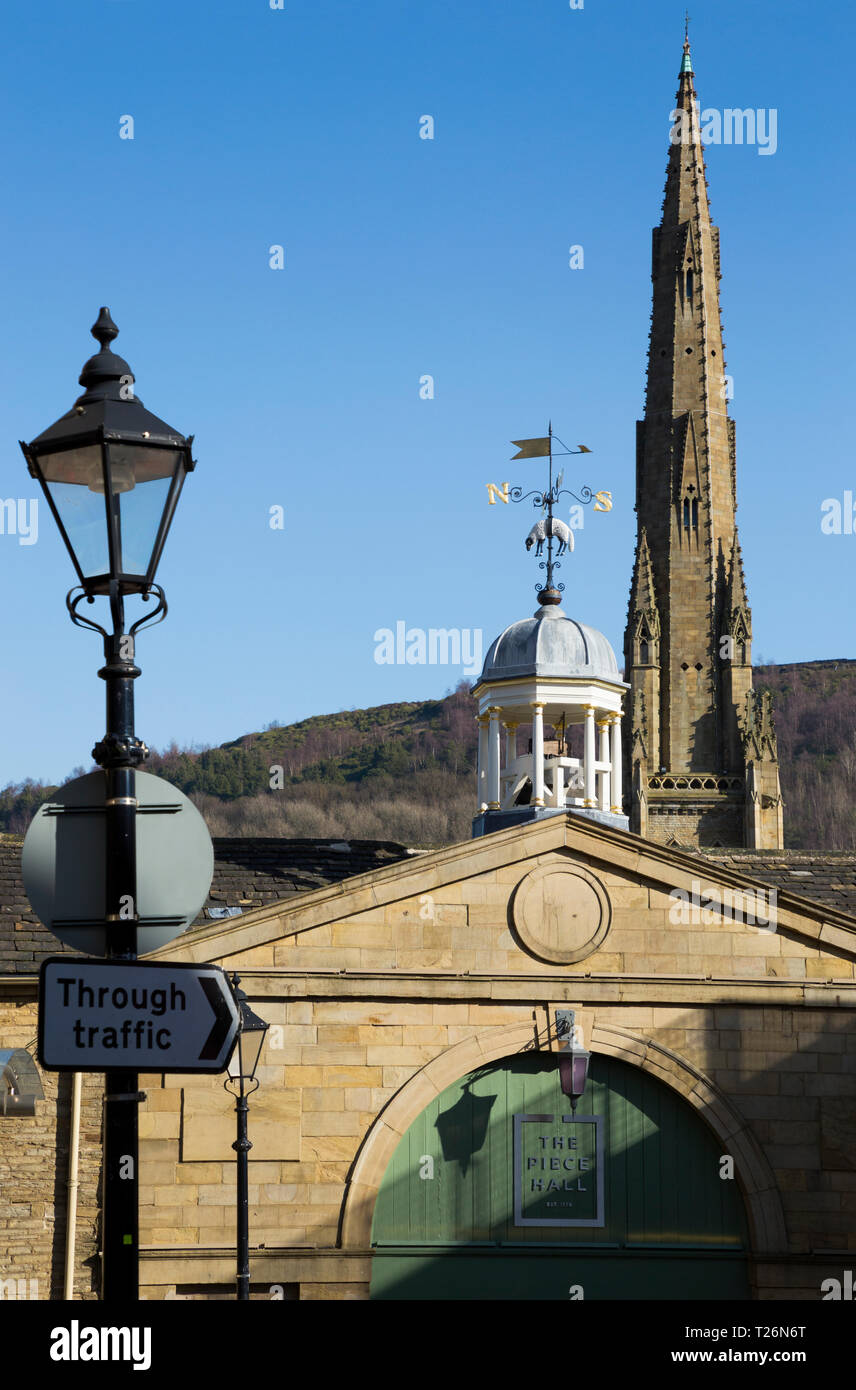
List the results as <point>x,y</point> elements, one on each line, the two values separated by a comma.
<point>99,1015</point>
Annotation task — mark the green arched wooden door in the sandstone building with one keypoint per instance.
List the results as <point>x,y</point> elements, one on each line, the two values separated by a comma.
<point>626,1202</point>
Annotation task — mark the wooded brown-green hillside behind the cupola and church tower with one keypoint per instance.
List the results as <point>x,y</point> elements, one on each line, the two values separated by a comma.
<point>408,772</point>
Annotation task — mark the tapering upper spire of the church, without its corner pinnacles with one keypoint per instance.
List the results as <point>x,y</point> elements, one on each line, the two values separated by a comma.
<point>686,493</point>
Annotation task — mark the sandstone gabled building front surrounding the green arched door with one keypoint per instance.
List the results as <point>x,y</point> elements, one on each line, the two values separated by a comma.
<point>387,990</point>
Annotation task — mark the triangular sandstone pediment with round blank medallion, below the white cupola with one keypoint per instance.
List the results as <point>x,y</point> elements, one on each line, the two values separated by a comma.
<point>520,901</point>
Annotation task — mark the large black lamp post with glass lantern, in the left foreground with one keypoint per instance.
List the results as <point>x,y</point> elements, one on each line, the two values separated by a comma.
<point>112,475</point>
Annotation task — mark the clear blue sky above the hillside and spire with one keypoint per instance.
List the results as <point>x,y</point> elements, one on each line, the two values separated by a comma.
<point>404,258</point>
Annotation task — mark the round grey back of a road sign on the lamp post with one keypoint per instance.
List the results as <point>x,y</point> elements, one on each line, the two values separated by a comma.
<point>65,854</point>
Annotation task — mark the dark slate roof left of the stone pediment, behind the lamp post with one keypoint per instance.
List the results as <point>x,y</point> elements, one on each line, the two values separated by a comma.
<point>248,874</point>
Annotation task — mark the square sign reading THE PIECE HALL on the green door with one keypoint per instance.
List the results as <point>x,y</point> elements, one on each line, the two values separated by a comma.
<point>558,1171</point>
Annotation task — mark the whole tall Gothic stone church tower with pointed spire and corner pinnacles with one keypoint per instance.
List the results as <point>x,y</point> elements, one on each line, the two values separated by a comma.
<point>701,746</point>
